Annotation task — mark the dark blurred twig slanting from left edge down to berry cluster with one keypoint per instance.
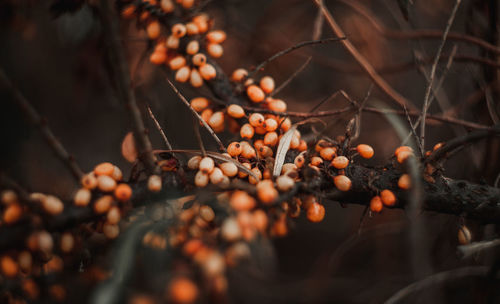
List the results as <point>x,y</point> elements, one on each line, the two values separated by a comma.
<point>42,125</point>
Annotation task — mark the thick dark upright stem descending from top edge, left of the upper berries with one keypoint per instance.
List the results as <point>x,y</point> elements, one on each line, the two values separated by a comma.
<point>120,76</point>
